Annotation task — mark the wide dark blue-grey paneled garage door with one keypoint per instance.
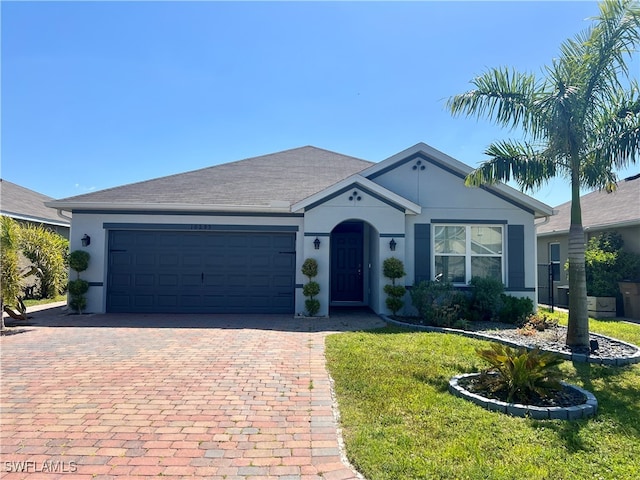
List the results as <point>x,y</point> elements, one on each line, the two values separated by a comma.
<point>201,272</point>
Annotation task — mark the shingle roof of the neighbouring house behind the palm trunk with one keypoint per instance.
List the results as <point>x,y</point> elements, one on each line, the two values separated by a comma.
<point>601,209</point>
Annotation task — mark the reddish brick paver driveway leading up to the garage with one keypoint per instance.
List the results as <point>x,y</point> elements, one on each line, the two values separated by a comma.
<point>217,397</point>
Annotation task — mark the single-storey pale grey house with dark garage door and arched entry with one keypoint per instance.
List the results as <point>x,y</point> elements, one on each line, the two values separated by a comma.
<point>232,238</point>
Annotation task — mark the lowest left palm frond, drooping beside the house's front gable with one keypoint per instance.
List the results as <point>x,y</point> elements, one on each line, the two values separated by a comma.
<point>516,161</point>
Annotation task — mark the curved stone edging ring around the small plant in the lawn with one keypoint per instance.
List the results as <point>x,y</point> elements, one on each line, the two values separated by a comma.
<point>584,410</point>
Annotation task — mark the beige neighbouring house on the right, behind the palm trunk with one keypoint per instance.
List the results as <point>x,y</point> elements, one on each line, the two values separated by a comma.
<point>618,211</point>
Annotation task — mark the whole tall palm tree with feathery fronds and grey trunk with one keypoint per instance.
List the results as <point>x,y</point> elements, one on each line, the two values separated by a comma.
<point>581,120</point>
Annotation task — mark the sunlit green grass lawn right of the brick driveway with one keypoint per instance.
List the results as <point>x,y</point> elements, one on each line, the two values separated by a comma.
<point>399,421</point>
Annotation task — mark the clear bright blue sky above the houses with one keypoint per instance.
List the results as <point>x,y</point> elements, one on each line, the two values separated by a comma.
<point>101,94</point>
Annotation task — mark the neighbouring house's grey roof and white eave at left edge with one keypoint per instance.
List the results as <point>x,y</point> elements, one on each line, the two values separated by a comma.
<point>27,206</point>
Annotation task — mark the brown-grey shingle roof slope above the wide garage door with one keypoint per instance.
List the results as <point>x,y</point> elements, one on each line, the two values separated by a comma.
<point>287,176</point>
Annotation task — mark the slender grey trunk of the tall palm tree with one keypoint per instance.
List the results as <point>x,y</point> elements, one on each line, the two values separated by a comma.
<point>578,327</point>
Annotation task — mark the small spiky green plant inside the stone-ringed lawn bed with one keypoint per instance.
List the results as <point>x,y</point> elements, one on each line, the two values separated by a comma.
<point>520,374</point>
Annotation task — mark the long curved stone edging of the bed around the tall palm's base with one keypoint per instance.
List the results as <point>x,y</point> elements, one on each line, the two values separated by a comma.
<point>574,357</point>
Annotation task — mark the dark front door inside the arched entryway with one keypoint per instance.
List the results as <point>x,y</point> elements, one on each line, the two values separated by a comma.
<point>347,263</point>
